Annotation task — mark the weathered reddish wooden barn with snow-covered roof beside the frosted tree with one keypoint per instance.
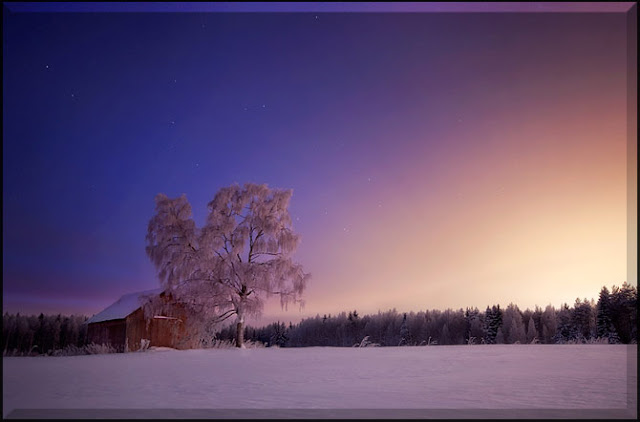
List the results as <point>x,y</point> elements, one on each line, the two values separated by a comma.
<point>124,326</point>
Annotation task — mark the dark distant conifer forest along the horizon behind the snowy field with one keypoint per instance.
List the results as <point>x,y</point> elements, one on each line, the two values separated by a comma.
<point>613,319</point>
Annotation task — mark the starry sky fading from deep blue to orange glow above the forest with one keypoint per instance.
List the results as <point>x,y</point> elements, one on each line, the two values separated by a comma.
<point>437,159</point>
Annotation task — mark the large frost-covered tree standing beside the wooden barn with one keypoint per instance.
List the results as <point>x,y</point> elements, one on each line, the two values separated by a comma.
<point>241,256</point>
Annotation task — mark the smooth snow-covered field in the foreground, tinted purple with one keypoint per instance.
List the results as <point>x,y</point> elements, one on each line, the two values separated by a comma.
<point>585,381</point>
